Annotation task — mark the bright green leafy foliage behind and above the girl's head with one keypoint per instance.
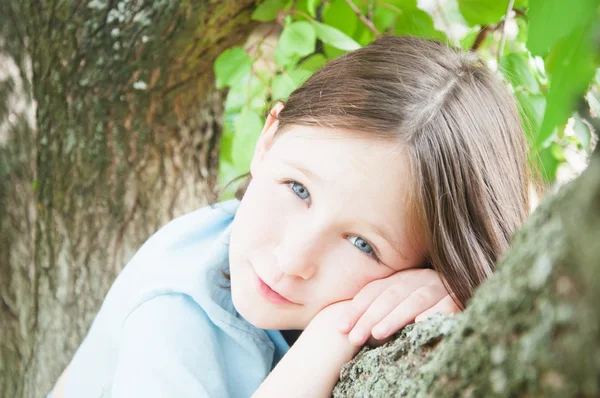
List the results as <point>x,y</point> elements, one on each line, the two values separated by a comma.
<point>547,50</point>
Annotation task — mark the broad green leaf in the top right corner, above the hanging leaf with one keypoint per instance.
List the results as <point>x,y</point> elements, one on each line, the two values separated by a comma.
<point>552,20</point>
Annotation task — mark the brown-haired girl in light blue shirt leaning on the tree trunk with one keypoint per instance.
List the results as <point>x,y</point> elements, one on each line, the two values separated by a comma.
<point>394,175</point>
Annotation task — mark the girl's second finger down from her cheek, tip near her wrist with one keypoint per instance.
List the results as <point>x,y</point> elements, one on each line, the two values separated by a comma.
<point>377,310</point>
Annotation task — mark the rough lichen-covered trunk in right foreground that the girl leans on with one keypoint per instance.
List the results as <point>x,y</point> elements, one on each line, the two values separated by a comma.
<point>532,330</point>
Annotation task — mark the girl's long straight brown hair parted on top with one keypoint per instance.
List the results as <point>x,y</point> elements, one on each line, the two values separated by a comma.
<point>467,149</point>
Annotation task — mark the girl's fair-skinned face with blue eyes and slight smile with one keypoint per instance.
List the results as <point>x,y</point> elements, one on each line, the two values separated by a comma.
<point>324,215</point>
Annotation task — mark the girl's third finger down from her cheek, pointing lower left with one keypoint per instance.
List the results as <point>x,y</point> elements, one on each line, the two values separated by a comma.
<point>419,301</point>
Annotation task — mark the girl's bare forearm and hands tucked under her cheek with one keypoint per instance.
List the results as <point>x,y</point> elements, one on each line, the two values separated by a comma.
<point>312,366</point>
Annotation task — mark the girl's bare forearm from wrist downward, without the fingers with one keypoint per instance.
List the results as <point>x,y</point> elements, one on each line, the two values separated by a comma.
<point>312,365</point>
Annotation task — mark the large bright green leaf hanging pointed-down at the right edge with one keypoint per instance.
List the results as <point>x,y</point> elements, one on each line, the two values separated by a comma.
<point>573,70</point>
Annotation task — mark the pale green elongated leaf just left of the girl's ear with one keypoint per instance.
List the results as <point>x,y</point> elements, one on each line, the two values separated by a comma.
<point>247,130</point>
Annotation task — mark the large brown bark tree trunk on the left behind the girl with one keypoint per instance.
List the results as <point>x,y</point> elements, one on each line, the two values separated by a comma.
<point>109,127</point>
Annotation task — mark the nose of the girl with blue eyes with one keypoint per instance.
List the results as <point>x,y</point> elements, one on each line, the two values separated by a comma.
<point>299,252</point>
